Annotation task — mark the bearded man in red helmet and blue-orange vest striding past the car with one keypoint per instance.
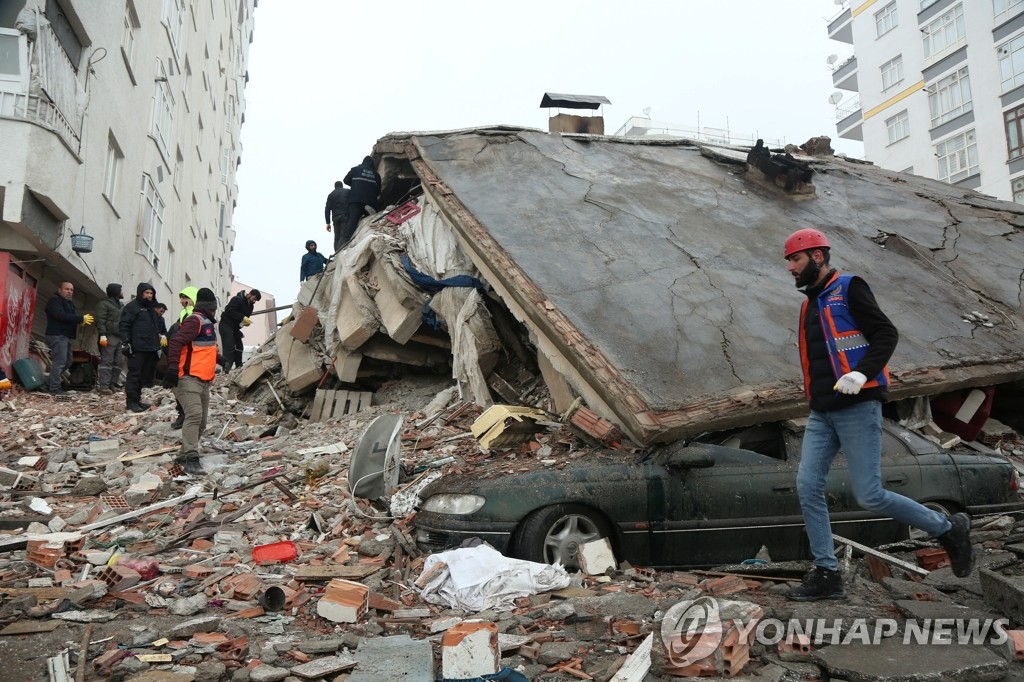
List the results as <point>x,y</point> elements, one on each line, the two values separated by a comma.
<point>845,345</point>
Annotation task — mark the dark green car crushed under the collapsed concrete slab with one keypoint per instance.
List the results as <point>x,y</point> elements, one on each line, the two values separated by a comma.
<point>713,500</point>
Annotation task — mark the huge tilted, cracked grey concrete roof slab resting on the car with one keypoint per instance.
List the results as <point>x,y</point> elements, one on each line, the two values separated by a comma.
<point>654,269</point>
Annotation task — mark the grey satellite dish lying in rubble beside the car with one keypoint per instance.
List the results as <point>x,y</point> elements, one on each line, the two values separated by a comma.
<point>373,468</point>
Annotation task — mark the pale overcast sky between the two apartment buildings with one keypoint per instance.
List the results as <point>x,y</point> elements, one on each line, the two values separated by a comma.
<point>327,79</point>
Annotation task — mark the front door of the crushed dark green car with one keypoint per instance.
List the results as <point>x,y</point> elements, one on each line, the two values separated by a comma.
<point>727,513</point>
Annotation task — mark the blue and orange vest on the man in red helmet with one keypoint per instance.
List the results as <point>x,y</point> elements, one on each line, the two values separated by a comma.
<point>846,345</point>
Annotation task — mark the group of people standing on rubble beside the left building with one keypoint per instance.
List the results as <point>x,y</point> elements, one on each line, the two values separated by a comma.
<point>134,336</point>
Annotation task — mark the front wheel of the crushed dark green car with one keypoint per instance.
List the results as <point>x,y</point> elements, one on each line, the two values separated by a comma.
<point>556,534</point>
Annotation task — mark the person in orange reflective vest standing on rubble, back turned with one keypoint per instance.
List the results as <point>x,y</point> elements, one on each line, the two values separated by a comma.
<point>192,365</point>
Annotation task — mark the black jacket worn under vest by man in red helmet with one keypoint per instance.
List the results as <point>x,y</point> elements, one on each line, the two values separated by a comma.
<point>879,331</point>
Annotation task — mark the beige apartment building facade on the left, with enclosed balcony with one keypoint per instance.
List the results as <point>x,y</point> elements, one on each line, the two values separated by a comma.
<point>120,121</point>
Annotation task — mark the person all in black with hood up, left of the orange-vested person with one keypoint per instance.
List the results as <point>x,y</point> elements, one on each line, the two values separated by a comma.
<point>140,330</point>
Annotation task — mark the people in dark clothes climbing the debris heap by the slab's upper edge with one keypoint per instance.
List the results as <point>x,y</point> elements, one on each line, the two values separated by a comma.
<point>345,208</point>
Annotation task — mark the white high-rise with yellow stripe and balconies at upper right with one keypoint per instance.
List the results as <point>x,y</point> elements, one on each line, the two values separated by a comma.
<point>940,90</point>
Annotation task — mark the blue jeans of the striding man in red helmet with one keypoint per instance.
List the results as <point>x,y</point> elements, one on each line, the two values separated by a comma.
<point>858,431</point>
